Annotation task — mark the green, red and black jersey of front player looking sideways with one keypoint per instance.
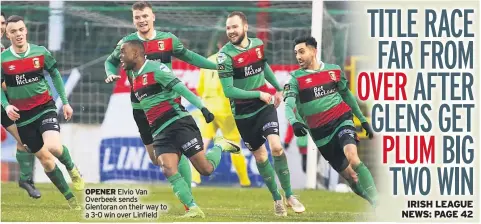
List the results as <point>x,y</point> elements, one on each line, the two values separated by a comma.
<point>152,86</point>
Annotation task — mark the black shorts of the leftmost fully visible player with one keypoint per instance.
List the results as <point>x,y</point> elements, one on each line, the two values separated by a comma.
<point>31,134</point>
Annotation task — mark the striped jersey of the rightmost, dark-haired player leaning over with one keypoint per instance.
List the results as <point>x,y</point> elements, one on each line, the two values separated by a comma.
<point>319,102</point>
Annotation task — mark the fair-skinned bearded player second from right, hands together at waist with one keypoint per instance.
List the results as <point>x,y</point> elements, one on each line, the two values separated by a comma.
<point>243,71</point>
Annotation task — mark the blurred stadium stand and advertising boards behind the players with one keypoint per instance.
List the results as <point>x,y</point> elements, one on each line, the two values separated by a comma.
<point>102,136</point>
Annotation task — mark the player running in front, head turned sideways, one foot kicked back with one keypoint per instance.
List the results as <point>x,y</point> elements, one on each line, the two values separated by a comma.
<point>173,129</point>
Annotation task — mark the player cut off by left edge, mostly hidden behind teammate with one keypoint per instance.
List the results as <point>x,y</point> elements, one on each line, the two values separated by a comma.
<point>26,160</point>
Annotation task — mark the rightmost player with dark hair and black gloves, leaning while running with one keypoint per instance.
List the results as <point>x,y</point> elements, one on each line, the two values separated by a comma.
<point>320,94</point>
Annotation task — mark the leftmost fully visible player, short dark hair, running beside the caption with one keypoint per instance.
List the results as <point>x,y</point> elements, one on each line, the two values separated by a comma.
<point>31,106</point>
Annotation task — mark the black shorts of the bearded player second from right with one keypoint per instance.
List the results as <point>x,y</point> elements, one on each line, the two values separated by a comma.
<point>254,130</point>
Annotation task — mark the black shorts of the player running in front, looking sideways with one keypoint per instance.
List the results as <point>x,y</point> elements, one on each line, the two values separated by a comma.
<point>182,136</point>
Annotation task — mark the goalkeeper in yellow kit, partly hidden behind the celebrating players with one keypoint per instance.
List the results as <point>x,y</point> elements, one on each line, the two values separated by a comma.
<point>210,90</point>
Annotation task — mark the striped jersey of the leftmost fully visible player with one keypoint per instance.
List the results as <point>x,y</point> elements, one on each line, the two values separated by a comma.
<point>27,88</point>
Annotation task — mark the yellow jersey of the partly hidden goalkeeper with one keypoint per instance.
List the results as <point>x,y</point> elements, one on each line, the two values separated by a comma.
<point>210,90</point>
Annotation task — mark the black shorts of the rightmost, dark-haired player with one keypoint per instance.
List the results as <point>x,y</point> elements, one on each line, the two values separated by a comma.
<point>334,150</point>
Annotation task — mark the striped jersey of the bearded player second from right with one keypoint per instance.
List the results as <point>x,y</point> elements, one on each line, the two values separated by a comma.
<point>246,67</point>
